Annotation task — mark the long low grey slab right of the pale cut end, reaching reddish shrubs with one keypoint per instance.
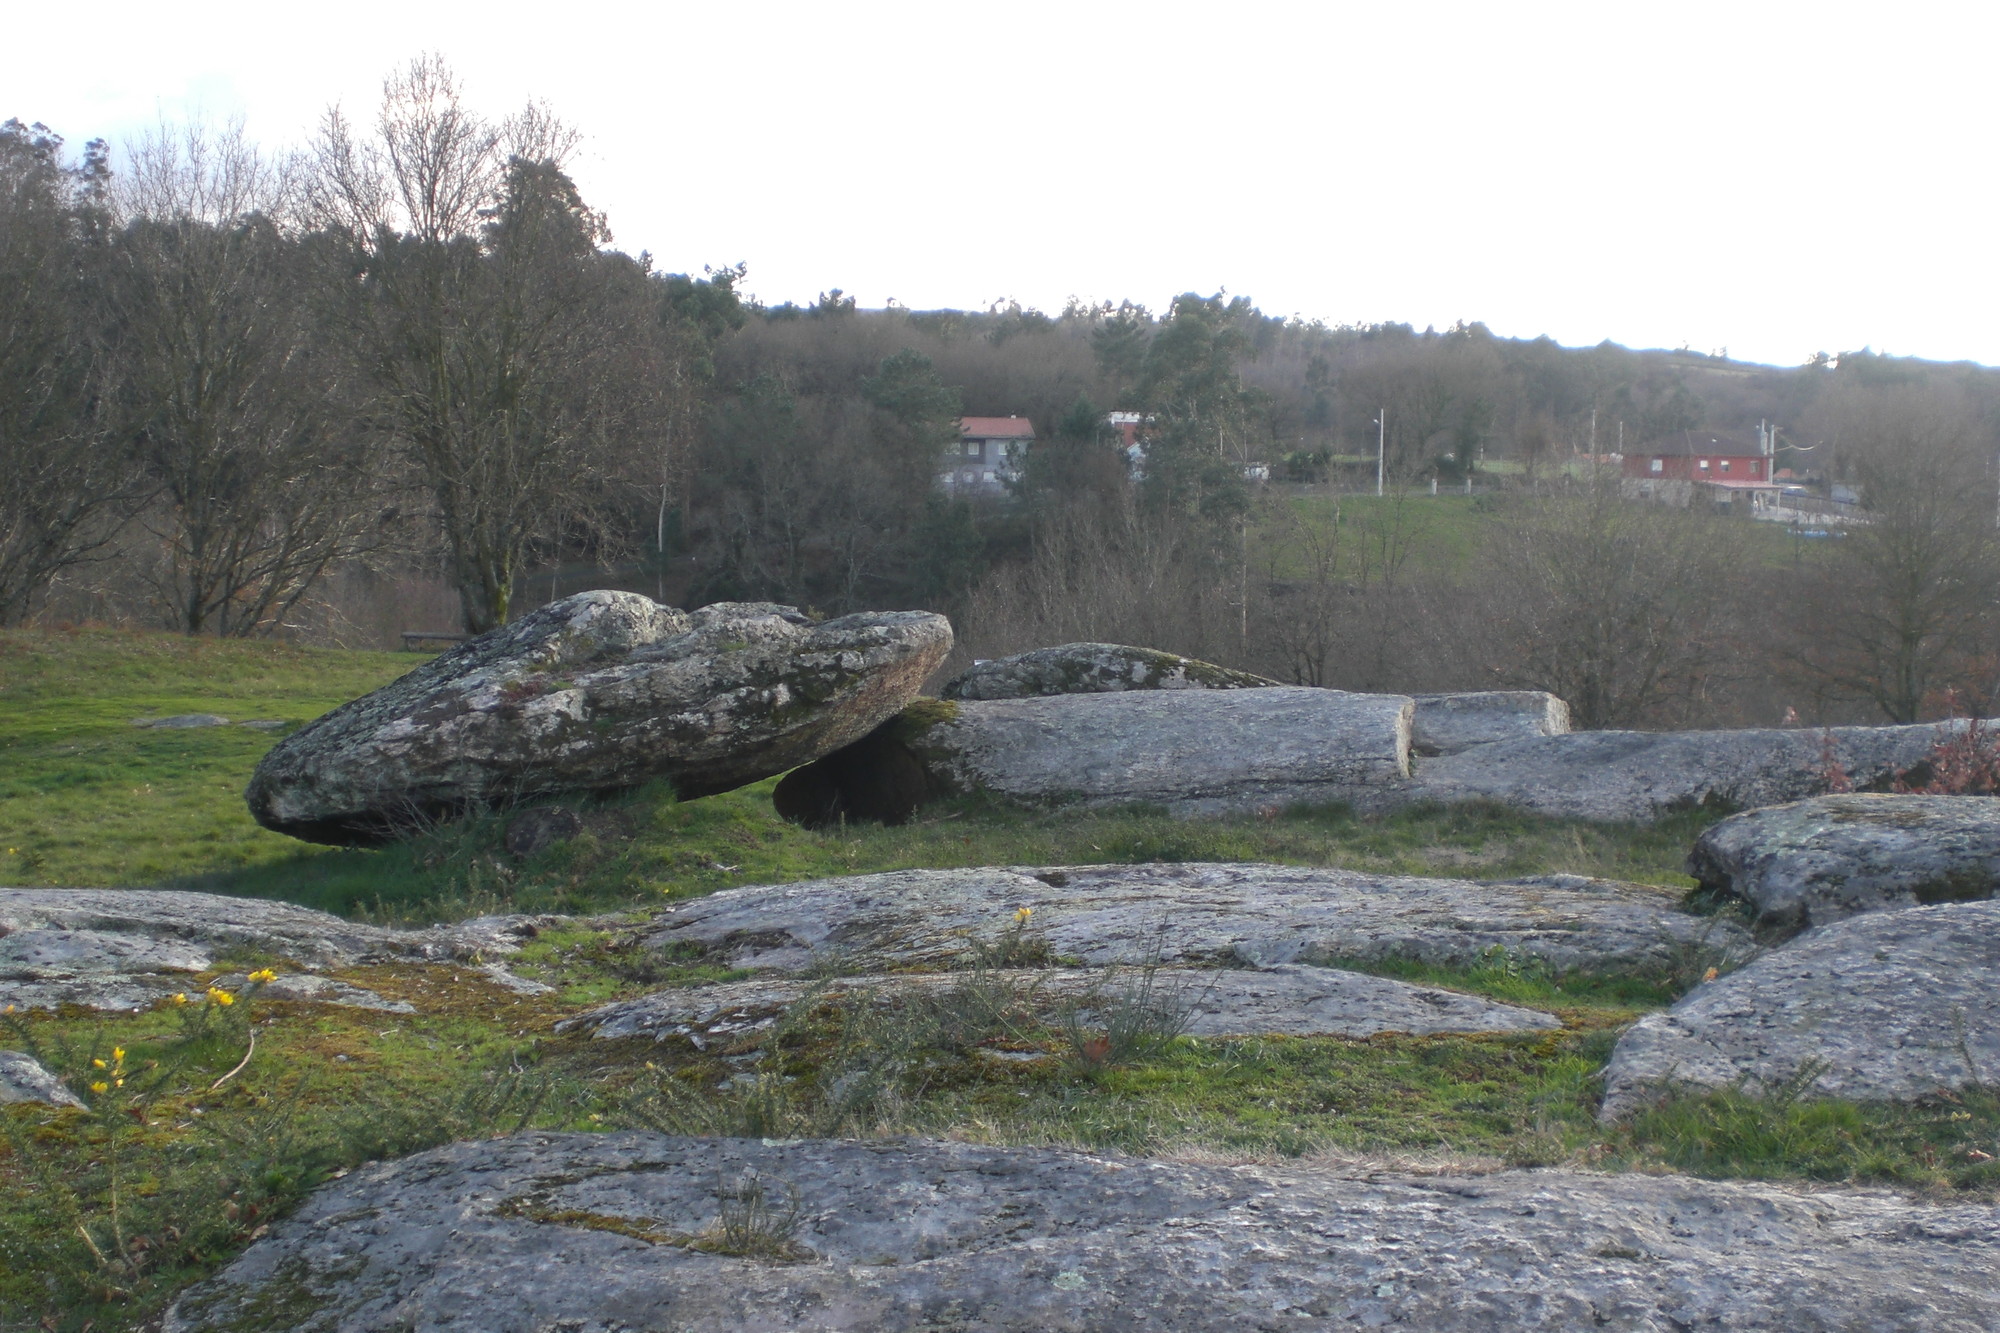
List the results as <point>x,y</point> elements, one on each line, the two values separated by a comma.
<point>1639,776</point>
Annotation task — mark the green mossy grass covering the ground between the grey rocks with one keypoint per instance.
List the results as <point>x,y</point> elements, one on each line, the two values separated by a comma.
<point>89,800</point>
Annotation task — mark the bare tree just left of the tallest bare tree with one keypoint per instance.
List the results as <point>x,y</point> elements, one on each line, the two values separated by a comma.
<point>261,479</point>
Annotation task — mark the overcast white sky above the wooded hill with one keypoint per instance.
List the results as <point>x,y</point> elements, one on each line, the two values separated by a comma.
<point>1769,179</point>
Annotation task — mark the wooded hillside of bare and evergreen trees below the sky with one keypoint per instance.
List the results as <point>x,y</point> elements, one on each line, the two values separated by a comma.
<point>229,375</point>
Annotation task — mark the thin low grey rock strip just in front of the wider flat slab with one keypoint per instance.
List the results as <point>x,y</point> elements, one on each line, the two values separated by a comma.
<point>1287,1000</point>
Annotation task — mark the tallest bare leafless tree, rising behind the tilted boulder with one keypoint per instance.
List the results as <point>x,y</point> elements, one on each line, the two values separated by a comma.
<point>487,323</point>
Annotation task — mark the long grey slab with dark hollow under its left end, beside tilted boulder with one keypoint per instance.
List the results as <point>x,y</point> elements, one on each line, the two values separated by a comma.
<point>1191,752</point>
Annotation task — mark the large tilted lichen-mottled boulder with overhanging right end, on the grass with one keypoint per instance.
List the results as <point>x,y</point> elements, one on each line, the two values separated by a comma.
<point>595,694</point>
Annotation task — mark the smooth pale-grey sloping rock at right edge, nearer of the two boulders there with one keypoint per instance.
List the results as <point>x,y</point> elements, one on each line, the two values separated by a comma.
<point>1877,1008</point>
